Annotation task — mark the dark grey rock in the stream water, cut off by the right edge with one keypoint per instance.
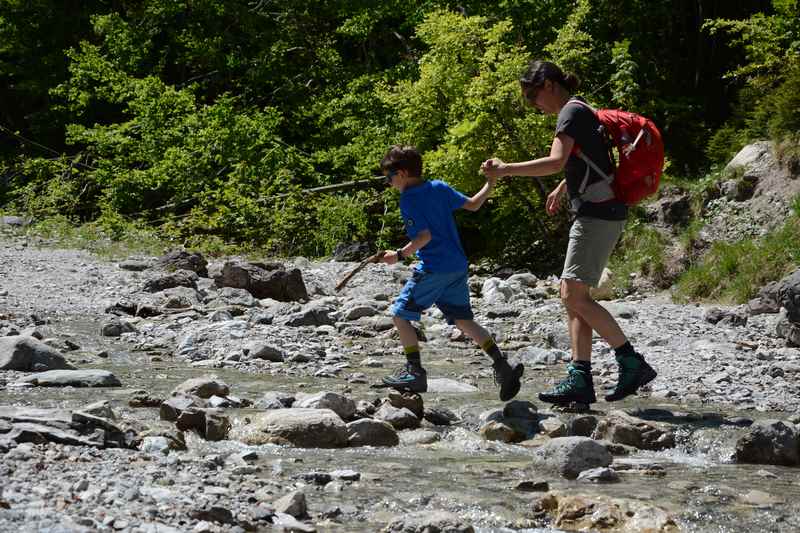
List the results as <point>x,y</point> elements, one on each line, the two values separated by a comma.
<point>770,442</point>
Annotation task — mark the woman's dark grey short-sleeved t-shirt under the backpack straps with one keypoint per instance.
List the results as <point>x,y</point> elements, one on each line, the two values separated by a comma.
<point>580,123</point>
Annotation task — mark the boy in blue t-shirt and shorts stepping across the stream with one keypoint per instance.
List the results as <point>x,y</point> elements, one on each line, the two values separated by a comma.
<point>441,276</point>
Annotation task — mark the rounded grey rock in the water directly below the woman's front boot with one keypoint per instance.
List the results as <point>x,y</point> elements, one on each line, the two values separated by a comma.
<point>570,456</point>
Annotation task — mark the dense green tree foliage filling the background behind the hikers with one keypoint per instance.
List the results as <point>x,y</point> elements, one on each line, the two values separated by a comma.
<point>207,118</point>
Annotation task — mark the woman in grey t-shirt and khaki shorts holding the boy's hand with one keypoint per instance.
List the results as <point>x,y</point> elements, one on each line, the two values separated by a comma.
<point>598,224</point>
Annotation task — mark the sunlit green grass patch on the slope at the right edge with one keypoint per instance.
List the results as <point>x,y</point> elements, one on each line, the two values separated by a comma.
<point>734,272</point>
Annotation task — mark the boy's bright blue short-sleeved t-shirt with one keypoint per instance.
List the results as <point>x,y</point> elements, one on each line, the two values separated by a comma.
<point>430,206</point>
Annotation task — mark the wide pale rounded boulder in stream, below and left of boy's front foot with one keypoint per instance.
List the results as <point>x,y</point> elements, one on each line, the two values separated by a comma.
<point>304,428</point>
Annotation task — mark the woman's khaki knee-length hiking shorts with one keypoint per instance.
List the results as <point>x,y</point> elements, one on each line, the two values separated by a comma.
<point>591,241</point>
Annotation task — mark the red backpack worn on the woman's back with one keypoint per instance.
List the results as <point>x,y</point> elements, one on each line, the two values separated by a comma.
<point>641,153</point>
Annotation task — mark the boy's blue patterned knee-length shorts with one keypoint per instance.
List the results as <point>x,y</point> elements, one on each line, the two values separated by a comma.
<point>448,290</point>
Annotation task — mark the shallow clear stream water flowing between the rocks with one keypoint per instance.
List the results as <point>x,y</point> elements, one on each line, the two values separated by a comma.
<point>696,482</point>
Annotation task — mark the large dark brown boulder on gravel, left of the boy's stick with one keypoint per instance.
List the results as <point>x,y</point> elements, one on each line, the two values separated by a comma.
<point>263,280</point>
